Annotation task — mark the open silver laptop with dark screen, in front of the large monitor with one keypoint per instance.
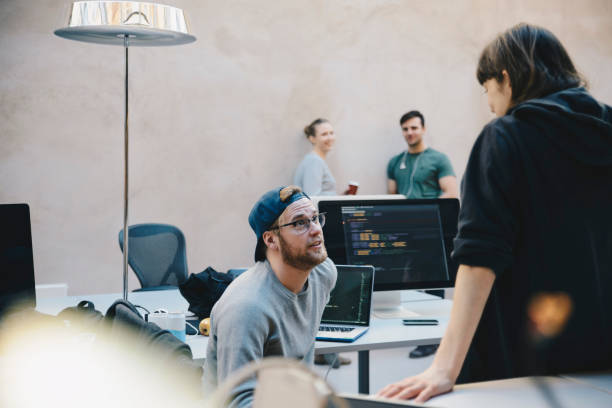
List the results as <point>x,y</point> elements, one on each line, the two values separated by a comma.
<point>347,314</point>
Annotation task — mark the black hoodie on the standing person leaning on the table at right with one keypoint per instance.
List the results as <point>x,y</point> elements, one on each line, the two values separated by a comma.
<point>537,210</point>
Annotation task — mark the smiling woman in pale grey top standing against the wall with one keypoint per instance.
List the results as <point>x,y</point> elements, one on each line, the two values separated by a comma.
<point>312,174</point>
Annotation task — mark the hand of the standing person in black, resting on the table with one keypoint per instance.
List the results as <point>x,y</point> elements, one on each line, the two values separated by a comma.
<point>422,387</point>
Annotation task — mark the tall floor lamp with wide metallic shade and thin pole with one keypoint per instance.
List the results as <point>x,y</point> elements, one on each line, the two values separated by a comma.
<point>128,24</point>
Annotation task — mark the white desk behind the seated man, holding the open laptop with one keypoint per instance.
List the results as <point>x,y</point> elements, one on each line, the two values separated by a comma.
<point>383,333</point>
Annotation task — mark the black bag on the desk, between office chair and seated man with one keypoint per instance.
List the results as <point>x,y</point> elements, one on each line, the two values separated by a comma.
<point>202,290</point>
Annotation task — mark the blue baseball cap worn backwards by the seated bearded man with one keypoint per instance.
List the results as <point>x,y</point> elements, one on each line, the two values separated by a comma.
<point>268,208</point>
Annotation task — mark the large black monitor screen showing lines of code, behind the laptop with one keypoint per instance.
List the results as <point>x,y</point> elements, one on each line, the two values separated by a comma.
<point>407,241</point>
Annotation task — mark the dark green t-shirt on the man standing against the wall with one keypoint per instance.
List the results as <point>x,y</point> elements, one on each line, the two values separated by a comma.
<point>417,174</point>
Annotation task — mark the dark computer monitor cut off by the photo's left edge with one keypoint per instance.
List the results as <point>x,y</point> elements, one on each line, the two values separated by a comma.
<point>16,262</point>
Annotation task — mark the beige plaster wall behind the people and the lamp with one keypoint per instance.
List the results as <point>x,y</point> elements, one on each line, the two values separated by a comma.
<point>216,123</point>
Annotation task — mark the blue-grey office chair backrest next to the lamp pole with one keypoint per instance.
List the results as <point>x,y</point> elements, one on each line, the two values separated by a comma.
<point>156,255</point>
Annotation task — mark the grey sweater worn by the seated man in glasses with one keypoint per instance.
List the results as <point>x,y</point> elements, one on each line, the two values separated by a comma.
<point>258,317</point>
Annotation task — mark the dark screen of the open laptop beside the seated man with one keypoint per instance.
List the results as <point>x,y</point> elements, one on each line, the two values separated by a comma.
<point>350,301</point>
